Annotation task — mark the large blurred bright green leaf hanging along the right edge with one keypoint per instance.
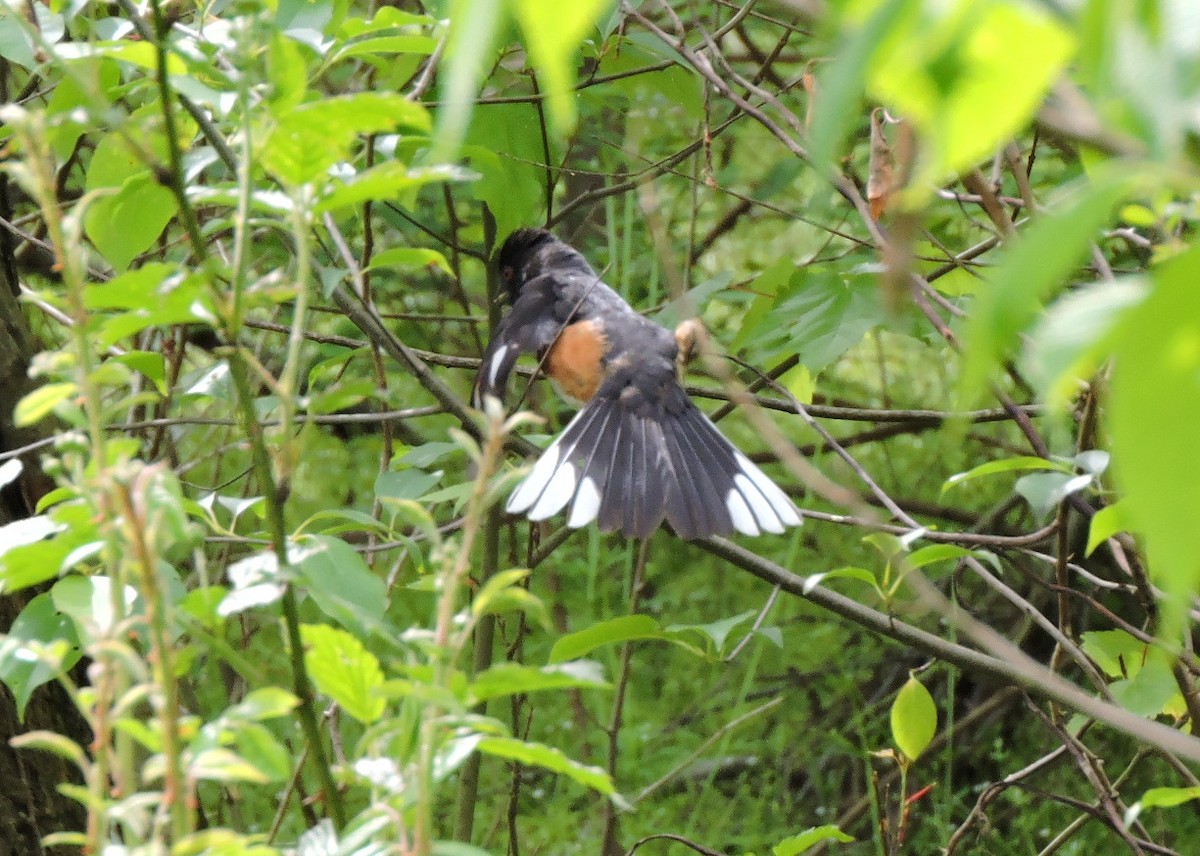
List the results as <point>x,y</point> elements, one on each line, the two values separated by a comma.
<point>1154,412</point>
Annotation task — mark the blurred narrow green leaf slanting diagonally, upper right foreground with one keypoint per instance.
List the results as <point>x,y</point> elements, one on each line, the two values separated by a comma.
<point>1039,261</point>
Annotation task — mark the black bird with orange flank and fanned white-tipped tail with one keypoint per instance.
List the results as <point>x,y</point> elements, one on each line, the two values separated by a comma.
<point>639,452</point>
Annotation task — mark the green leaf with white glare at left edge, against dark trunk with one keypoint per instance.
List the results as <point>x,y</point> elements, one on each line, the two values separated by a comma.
<point>40,645</point>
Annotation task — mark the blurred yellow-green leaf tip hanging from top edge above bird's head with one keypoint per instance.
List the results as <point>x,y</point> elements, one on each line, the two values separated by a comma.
<point>553,34</point>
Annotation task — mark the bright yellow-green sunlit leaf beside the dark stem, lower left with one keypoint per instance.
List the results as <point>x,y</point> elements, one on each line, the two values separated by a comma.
<point>345,671</point>
